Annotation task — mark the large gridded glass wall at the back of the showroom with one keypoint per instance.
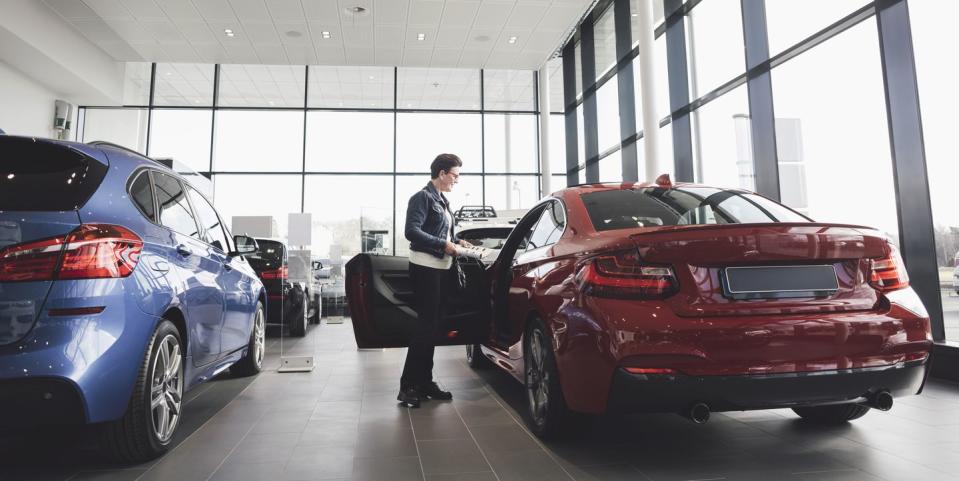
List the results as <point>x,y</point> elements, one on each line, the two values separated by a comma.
<point>333,141</point>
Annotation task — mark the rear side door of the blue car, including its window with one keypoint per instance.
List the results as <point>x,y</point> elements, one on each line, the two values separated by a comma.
<point>197,267</point>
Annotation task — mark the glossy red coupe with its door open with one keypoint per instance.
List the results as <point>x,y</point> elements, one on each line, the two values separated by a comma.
<point>674,298</point>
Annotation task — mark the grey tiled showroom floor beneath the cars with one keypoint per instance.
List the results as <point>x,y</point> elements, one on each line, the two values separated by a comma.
<point>341,422</point>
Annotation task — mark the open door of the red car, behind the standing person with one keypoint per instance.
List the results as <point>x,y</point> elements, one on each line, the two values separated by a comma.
<point>380,295</point>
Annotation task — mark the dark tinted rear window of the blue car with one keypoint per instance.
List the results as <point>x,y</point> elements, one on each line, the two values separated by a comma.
<point>38,176</point>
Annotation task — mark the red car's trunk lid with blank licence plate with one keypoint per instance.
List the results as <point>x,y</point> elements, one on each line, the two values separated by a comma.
<point>762,269</point>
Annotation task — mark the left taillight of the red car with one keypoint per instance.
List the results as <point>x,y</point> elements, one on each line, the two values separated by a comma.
<point>623,275</point>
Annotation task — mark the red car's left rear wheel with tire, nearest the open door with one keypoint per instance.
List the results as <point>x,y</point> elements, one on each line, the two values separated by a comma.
<point>547,413</point>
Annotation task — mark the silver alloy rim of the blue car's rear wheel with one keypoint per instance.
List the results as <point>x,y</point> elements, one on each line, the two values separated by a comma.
<point>166,388</point>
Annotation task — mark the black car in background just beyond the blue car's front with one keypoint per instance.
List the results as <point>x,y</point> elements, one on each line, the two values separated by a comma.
<point>285,304</point>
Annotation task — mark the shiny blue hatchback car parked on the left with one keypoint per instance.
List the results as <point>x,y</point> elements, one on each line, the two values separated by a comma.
<point>120,289</point>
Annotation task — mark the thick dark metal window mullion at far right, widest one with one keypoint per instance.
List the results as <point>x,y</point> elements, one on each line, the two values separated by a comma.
<point>911,180</point>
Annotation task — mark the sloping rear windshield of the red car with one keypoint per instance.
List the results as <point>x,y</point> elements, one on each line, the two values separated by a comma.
<point>656,206</point>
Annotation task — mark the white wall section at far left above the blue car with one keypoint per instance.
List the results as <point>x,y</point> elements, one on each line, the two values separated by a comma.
<point>26,108</point>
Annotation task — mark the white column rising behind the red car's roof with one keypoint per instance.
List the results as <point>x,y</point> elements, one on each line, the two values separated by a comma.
<point>647,80</point>
